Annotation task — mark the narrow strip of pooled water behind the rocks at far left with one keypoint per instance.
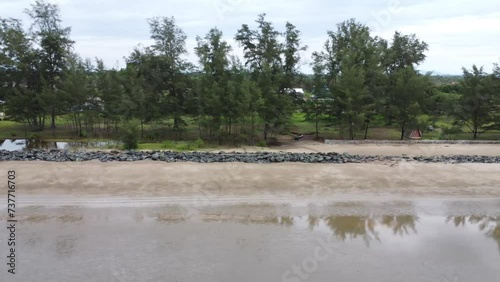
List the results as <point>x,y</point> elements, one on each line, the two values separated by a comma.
<point>23,144</point>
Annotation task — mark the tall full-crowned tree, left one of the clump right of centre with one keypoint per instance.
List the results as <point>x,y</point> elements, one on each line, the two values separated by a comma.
<point>351,63</point>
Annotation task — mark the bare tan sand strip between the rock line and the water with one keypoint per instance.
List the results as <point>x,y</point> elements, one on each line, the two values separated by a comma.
<point>290,180</point>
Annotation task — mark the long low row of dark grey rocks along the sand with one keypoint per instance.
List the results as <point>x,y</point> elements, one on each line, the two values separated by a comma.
<point>223,157</point>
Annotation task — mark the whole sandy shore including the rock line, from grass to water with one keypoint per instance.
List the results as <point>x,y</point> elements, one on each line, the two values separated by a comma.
<point>308,171</point>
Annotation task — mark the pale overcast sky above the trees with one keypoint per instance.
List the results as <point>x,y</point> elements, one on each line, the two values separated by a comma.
<point>460,33</point>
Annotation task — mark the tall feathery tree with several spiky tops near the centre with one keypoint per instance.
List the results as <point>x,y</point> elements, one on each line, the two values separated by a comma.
<point>264,53</point>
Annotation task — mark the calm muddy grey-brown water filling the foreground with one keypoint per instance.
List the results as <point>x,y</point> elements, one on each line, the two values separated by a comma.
<point>345,241</point>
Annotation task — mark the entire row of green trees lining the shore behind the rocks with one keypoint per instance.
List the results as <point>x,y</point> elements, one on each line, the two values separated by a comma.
<point>357,77</point>
